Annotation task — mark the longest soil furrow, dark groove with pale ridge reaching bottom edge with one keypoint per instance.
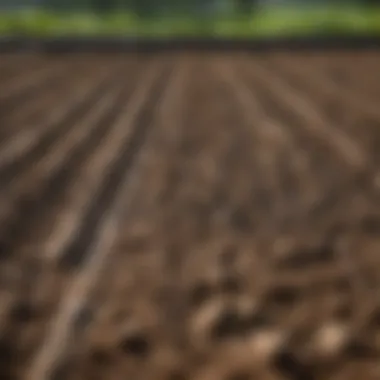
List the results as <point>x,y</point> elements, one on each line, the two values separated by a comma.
<point>107,212</point>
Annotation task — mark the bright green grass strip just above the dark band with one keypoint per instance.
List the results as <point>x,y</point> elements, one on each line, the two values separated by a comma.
<point>276,22</point>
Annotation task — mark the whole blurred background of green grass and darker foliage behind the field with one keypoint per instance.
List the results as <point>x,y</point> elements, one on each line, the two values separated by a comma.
<point>229,18</point>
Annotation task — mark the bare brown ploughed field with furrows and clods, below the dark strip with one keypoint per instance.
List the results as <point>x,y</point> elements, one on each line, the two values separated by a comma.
<point>190,217</point>
